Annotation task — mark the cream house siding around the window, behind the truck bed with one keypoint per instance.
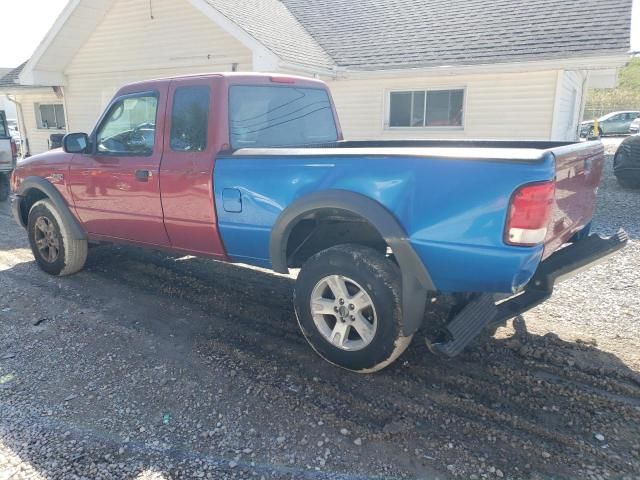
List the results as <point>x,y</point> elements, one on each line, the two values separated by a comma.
<point>515,105</point>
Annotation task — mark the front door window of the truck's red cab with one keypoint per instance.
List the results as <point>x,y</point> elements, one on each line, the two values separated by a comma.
<point>129,129</point>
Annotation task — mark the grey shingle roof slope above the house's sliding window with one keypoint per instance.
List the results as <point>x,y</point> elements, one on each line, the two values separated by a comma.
<point>386,34</point>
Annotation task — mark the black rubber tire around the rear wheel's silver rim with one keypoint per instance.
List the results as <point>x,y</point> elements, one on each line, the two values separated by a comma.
<point>380,279</point>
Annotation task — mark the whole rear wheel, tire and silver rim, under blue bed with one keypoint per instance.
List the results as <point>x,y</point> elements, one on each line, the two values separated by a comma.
<point>348,304</point>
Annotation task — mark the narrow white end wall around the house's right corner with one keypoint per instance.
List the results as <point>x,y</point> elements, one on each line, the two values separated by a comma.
<point>568,106</point>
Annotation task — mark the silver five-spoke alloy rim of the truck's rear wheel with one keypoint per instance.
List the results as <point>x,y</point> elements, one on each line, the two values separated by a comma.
<point>343,313</point>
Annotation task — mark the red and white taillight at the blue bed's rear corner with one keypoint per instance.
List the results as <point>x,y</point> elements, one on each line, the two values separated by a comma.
<point>529,214</point>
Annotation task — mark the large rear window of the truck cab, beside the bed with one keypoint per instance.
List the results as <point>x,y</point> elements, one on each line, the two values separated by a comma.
<point>279,116</point>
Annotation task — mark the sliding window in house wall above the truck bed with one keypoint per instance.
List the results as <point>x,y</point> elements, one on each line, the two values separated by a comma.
<point>426,108</point>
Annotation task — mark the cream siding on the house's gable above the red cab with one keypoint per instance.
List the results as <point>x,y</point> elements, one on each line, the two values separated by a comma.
<point>129,46</point>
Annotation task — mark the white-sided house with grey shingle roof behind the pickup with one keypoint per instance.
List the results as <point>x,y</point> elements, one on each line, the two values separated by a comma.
<point>397,69</point>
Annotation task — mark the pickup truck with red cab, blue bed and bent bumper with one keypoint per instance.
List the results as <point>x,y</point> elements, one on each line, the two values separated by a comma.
<point>253,169</point>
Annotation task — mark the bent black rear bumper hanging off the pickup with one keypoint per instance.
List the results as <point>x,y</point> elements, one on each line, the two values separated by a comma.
<point>484,312</point>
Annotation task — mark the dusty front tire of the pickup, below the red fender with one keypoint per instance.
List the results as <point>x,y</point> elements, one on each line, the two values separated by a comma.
<point>70,254</point>
